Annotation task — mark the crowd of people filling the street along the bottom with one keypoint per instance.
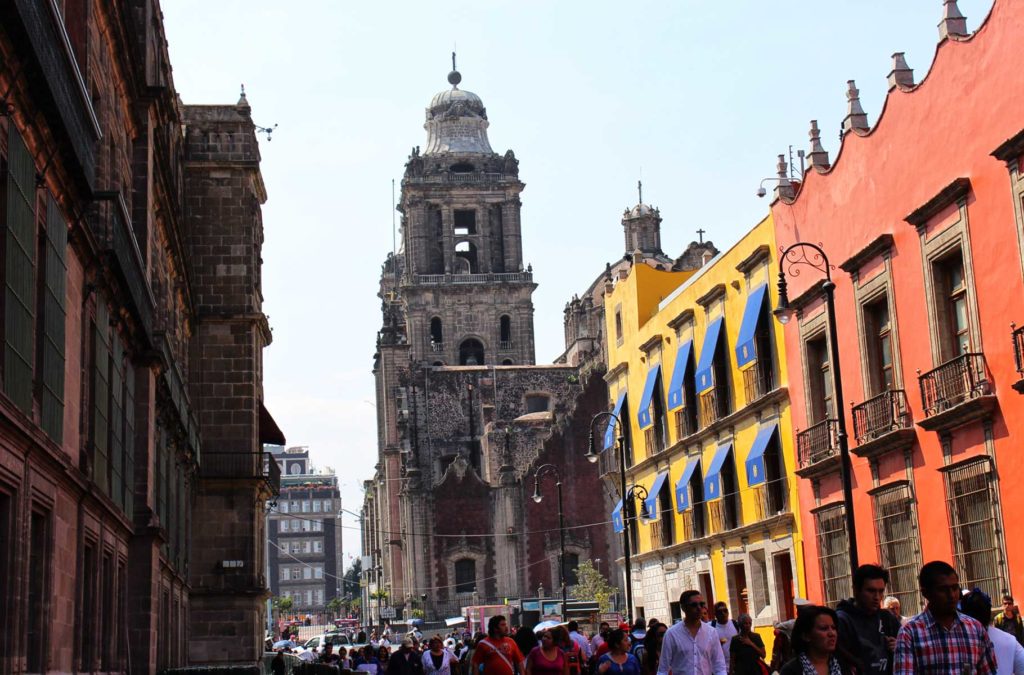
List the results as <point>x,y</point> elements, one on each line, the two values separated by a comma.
<point>956,634</point>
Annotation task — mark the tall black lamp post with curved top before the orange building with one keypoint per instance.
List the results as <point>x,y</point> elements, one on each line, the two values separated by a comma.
<point>804,254</point>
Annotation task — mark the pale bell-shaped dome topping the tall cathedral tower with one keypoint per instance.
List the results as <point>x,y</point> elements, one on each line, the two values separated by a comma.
<point>457,122</point>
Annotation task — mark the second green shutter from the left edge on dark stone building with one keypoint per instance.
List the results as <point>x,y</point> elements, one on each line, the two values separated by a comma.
<point>55,314</point>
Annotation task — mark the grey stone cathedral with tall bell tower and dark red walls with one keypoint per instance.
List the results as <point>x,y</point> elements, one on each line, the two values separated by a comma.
<point>464,415</point>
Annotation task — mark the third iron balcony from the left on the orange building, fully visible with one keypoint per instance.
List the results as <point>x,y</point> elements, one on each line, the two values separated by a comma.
<point>957,393</point>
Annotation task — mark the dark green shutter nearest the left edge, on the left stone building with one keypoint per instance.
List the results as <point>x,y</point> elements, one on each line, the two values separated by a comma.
<point>20,279</point>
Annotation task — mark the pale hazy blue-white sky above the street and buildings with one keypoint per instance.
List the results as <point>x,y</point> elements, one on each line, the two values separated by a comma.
<point>699,97</point>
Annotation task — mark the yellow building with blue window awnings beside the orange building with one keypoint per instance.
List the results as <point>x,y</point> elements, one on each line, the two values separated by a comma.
<point>698,376</point>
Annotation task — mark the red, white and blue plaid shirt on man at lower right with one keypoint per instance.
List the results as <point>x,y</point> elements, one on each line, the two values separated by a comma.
<point>924,647</point>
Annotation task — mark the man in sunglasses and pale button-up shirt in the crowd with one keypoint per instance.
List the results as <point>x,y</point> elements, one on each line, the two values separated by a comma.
<point>692,648</point>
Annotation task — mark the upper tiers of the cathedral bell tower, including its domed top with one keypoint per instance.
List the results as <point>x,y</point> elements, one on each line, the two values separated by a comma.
<point>467,298</point>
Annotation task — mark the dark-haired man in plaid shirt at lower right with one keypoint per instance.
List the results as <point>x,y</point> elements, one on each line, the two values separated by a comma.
<point>941,640</point>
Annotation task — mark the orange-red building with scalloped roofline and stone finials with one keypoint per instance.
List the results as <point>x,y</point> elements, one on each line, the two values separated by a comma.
<point>923,219</point>
